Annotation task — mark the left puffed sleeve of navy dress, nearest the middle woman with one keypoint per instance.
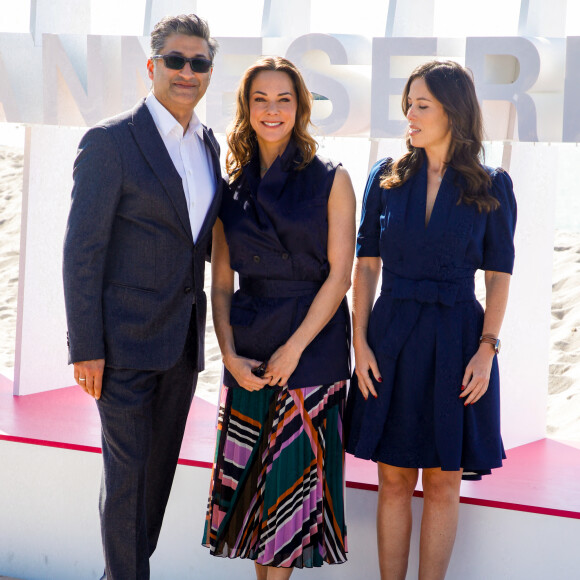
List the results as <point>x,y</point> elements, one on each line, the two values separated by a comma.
<point>369,232</point>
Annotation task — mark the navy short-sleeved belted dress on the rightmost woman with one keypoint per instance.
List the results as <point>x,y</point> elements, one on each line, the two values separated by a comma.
<point>425,326</point>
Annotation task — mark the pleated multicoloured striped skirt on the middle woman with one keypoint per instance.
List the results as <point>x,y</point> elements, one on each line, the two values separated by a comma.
<point>277,490</point>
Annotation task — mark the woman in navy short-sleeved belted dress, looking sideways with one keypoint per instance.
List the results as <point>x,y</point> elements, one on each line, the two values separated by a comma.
<point>426,389</point>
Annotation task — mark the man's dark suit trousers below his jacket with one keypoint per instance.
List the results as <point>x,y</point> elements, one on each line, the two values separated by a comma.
<point>143,417</point>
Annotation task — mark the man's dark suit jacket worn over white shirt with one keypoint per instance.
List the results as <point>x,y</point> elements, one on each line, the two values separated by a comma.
<point>131,269</point>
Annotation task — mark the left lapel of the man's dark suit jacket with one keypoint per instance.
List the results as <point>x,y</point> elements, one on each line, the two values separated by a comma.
<point>147,137</point>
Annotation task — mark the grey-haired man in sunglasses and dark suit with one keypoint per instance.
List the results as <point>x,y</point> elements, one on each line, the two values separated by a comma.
<point>146,193</point>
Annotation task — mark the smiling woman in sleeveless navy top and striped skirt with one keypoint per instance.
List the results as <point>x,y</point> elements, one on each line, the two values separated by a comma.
<point>287,228</point>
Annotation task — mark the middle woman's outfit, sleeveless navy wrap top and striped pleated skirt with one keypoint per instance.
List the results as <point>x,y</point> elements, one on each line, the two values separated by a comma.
<point>277,493</point>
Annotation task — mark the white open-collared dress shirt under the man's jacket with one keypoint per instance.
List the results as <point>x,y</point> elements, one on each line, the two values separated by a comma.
<point>191,159</point>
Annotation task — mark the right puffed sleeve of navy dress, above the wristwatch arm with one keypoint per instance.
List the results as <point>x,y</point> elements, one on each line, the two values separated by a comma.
<point>498,242</point>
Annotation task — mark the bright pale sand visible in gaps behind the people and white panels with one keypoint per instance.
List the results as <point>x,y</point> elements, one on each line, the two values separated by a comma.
<point>563,421</point>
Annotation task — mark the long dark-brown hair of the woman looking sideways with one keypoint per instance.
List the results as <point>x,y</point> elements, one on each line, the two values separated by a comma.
<point>453,87</point>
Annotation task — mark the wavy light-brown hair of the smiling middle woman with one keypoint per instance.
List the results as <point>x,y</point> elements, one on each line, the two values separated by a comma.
<point>241,137</point>
